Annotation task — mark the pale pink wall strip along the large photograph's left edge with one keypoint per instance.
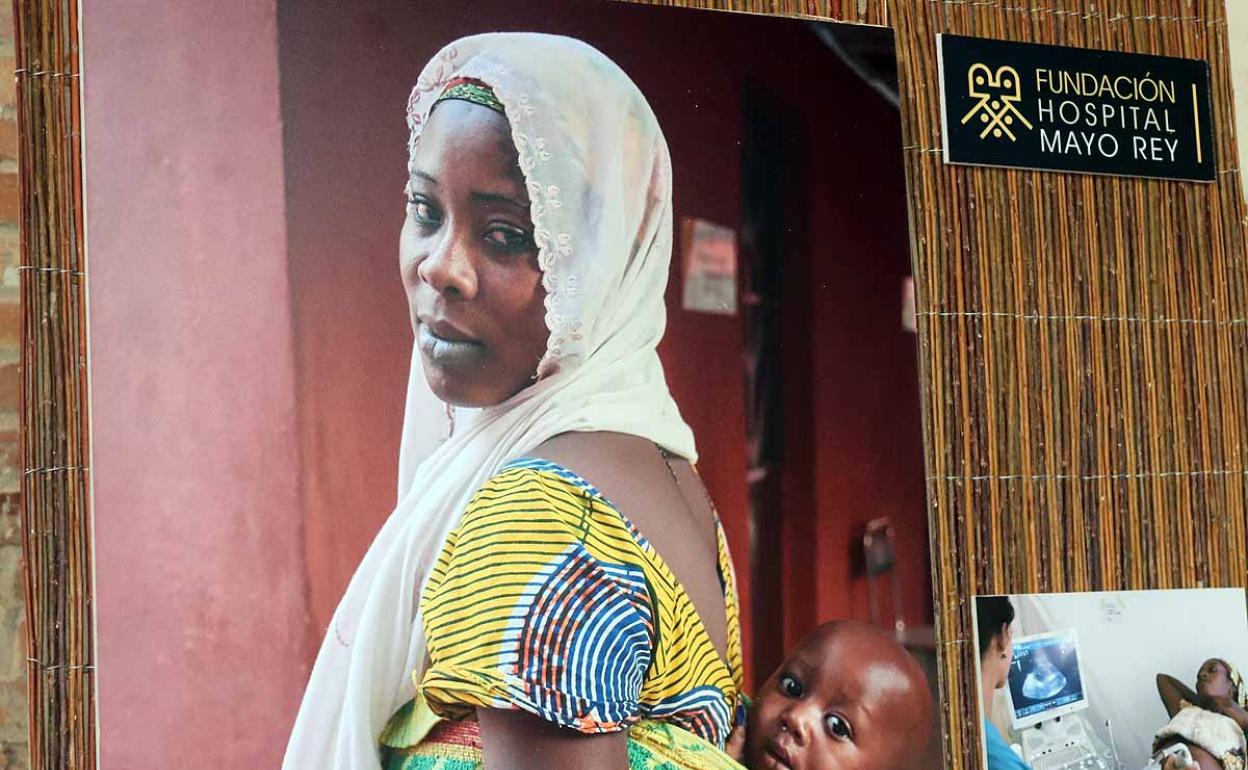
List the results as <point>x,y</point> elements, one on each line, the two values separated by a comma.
<point>204,642</point>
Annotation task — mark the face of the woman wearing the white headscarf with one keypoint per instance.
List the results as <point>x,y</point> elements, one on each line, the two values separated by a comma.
<point>469,260</point>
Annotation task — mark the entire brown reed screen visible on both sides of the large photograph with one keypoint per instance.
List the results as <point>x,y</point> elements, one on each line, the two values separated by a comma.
<point>1084,349</point>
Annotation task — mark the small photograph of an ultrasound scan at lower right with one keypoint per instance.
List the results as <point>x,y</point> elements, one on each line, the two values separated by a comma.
<point>1114,681</point>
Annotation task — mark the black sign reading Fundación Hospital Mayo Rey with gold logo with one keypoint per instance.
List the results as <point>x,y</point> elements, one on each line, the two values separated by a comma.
<point>1065,109</point>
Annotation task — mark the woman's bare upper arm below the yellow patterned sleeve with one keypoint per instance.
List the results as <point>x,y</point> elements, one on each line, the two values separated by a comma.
<point>515,741</point>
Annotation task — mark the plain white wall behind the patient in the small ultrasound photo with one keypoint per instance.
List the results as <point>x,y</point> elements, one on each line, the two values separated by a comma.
<point>1158,632</point>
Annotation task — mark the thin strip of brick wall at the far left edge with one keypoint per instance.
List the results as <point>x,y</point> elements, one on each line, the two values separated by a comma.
<point>13,617</point>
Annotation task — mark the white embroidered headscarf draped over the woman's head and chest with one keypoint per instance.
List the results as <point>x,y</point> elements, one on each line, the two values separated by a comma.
<point>600,182</point>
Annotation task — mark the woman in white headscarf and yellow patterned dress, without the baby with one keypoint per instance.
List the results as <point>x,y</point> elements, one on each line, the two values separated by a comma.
<point>553,586</point>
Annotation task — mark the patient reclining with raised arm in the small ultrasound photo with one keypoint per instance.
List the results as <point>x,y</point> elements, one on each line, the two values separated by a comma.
<point>1212,721</point>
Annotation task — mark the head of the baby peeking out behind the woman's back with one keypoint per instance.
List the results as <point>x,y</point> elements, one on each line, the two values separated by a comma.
<point>851,697</point>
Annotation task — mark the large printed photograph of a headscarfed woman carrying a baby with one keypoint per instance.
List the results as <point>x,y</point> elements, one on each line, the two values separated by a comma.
<point>535,385</point>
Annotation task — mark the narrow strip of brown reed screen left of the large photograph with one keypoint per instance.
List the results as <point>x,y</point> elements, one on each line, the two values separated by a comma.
<point>54,420</point>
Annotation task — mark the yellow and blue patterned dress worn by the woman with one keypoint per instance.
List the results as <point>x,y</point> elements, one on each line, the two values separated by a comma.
<point>547,600</point>
